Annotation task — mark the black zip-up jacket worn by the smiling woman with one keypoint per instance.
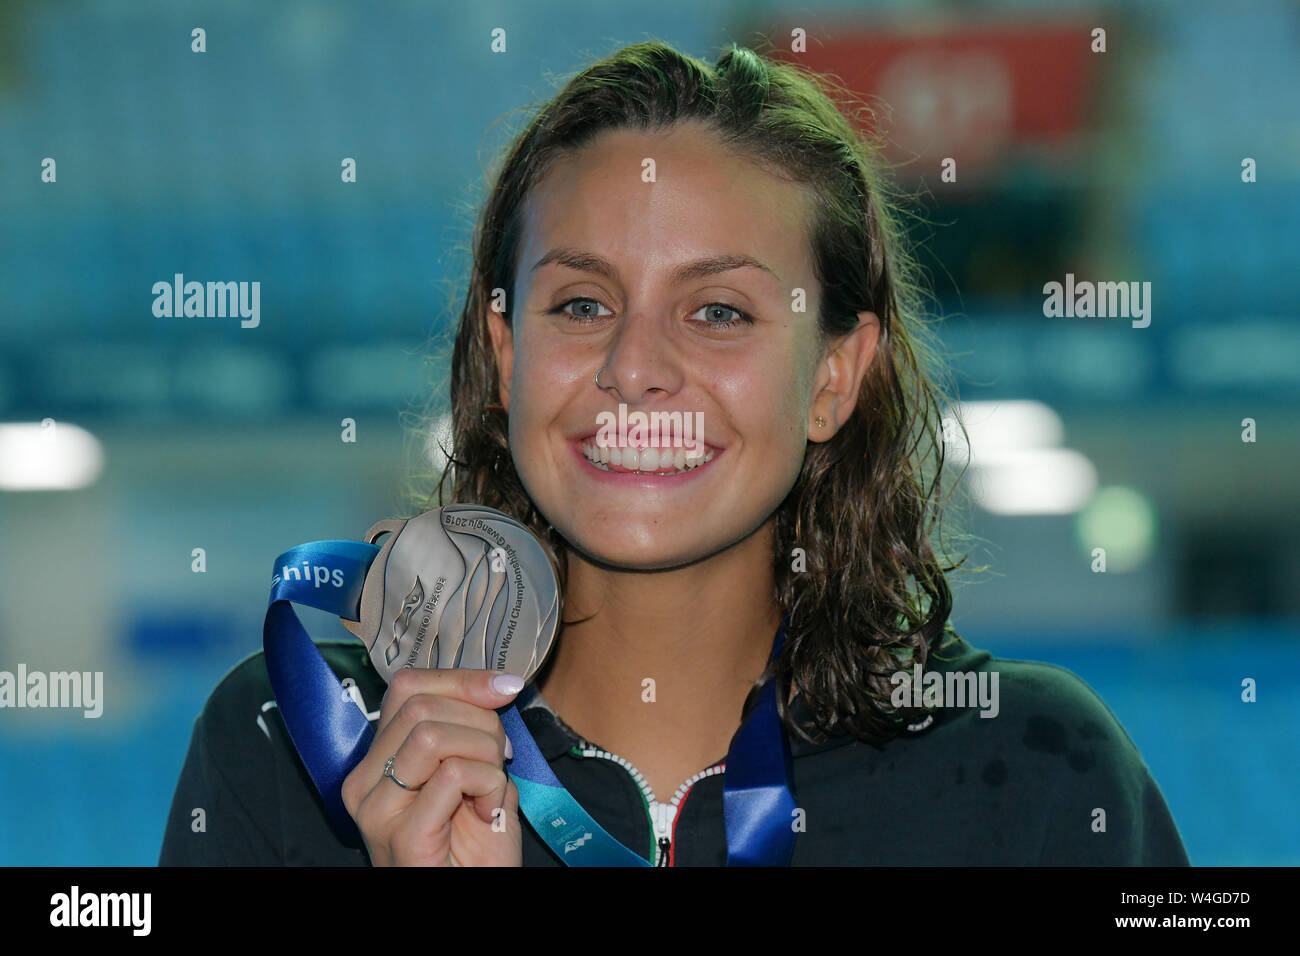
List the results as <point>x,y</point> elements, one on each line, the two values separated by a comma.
<point>1024,788</point>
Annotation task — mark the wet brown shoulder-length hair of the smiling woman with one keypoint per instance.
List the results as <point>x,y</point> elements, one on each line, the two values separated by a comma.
<point>874,598</point>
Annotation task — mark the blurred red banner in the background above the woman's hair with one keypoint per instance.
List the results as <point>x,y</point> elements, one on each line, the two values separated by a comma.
<point>972,92</point>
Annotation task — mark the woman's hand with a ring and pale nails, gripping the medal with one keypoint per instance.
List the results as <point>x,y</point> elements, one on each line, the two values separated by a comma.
<point>448,746</point>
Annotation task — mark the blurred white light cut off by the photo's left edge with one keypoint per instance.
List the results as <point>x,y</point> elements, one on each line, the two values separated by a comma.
<point>47,456</point>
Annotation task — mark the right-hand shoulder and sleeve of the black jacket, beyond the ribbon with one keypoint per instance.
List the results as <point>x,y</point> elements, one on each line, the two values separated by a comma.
<point>1019,763</point>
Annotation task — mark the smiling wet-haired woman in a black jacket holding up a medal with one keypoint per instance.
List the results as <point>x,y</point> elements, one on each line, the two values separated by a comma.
<point>710,245</point>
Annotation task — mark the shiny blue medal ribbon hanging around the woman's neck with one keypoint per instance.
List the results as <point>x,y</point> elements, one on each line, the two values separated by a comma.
<point>332,734</point>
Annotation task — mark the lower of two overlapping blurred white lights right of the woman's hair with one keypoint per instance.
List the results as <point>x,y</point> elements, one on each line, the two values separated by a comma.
<point>1034,482</point>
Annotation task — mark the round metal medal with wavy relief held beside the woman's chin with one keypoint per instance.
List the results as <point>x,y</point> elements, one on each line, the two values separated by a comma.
<point>462,586</point>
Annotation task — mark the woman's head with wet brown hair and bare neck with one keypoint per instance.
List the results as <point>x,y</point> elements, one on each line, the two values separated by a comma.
<point>714,243</point>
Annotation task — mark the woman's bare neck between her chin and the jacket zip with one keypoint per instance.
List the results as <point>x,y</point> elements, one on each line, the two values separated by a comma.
<point>656,667</point>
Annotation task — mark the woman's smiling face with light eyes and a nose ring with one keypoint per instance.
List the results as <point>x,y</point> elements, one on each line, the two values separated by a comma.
<point>613,228</point>
